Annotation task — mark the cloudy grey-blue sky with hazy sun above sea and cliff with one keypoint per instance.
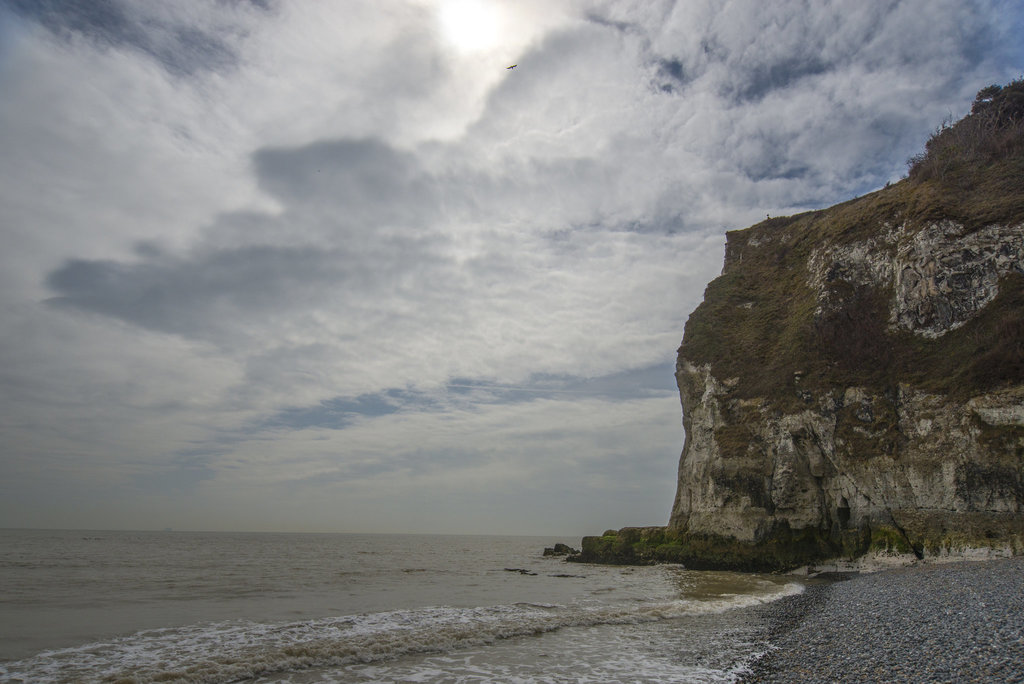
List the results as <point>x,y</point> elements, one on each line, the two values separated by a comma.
<point>333,267</point>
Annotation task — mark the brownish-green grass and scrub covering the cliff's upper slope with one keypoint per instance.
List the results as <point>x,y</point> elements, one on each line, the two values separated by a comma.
<point>758,321</point>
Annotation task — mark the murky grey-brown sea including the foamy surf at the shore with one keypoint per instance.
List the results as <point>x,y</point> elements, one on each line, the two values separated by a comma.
<point>178,607</point>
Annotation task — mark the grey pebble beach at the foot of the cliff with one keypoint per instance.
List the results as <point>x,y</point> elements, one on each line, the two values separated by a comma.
<point>932,623</point>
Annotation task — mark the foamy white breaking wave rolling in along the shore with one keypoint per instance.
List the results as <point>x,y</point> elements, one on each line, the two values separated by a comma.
<point>237,651</point>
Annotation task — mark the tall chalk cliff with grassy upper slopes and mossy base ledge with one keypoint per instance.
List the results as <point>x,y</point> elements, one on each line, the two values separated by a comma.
<point>855,380</point>
